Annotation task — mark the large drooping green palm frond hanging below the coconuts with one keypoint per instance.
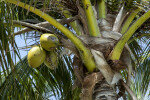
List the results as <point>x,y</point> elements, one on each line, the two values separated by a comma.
<point>40,83</point>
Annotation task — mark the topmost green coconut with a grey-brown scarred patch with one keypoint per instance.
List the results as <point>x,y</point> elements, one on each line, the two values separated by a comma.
<point>49,41</point>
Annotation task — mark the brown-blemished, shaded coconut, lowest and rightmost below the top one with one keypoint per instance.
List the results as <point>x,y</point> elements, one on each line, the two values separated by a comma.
<point>51,60</point>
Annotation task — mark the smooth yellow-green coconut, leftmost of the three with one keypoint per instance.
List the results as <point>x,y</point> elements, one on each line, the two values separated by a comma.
<point>36,56</point>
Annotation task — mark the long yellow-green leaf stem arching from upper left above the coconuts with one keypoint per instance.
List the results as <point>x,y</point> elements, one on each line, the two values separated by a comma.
<point>84,52</point>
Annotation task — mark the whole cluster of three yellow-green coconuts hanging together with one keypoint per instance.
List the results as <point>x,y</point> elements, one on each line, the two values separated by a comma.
<point>45,52</point>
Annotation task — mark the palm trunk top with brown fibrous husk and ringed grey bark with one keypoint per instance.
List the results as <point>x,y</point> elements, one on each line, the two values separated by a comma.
<point>95,87</point>
